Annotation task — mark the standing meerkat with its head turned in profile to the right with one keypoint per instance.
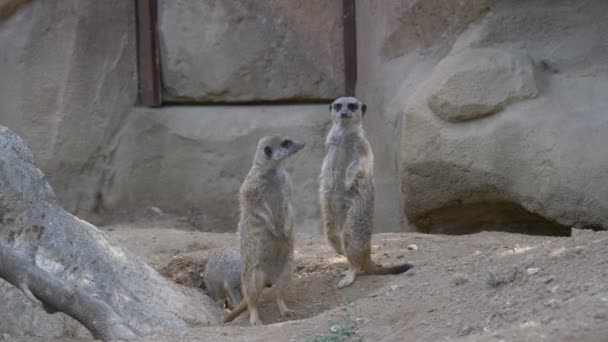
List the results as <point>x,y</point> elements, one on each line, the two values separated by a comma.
<point>266,226</point>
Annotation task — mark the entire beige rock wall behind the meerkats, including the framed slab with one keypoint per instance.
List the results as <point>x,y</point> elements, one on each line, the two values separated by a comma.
<point>492,107</point>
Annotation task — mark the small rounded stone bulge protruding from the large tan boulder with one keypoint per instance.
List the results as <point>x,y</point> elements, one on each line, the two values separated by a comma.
<point>478,82</point>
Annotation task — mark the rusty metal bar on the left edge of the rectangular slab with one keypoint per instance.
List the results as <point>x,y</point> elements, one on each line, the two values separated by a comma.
<point>148,67</point>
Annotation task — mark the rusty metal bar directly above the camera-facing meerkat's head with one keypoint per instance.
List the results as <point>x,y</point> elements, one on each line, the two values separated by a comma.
<point>350,46</point>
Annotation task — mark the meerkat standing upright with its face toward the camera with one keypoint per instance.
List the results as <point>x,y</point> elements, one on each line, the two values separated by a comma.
<point>347,191</point>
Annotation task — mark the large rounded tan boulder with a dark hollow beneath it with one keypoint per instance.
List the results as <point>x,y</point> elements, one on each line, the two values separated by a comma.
<point>539,163</point>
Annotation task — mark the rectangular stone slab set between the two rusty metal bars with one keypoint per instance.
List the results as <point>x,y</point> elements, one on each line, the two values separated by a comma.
<point>235,50</point>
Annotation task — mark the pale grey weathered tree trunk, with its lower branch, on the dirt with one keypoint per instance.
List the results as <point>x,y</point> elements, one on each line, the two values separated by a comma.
<point>69,265</point>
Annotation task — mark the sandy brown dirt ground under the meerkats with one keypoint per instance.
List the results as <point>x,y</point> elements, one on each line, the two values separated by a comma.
<point>489,286</point>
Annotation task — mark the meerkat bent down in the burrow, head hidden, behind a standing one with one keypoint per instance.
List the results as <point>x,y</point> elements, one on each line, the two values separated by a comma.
<point>222,276</point>
